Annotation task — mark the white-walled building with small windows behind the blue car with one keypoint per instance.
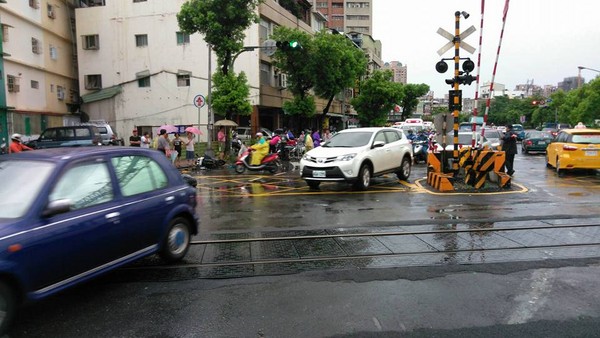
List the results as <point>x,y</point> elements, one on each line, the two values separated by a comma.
<point>137,69</point>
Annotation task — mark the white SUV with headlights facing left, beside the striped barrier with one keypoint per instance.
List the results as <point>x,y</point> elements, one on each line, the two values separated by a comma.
<point>357,155</point>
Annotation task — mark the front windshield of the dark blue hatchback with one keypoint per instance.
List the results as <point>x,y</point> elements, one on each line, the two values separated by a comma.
<point>21,185</point>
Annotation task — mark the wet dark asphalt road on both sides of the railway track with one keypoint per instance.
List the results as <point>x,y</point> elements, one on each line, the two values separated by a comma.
<point>551,295</point>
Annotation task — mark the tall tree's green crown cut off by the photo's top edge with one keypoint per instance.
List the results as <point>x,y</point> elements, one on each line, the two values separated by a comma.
<point>222,22</point>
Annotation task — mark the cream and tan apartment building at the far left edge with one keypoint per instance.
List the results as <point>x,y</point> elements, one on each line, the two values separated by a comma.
<point>38,68</point>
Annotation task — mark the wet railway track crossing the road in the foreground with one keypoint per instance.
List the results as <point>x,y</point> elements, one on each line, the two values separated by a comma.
<point>421,245</point>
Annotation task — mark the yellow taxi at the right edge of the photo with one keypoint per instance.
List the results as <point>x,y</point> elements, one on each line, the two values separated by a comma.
<point>574,149</point>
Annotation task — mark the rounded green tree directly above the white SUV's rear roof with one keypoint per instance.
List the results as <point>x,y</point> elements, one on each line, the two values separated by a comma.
<point>377,97</point>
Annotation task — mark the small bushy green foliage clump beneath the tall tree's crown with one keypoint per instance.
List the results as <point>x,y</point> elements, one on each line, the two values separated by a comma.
<point>230,96</point>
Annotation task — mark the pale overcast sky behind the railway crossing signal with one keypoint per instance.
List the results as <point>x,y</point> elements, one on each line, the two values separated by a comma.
<point>544,40</point>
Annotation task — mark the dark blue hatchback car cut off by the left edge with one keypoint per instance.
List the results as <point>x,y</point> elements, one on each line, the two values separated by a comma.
<point>71,214</point>
